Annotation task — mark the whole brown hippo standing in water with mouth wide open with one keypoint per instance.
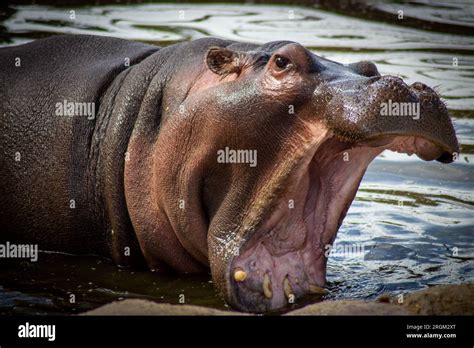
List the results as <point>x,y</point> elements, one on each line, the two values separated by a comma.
<point>212,155</point>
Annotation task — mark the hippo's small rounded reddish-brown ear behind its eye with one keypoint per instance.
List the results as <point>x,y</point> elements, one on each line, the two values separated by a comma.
<point>223,61</point>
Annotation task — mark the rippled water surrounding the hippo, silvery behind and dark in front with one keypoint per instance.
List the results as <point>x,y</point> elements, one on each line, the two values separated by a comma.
<point>413,218</point>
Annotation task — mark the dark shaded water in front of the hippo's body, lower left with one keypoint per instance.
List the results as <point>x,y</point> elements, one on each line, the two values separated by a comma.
<point>47,287</point>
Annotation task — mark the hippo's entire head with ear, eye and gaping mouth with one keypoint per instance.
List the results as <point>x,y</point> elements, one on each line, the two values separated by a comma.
<point>269,145</point>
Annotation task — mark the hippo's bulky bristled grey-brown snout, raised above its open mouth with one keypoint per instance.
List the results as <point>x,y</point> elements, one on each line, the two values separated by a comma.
<point>411,118</point>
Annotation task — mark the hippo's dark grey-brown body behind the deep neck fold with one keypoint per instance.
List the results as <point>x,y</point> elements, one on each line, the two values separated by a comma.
<point>50,93</point>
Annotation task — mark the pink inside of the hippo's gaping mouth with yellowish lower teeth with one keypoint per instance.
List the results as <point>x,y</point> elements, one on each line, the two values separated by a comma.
<point>285,258</point>
